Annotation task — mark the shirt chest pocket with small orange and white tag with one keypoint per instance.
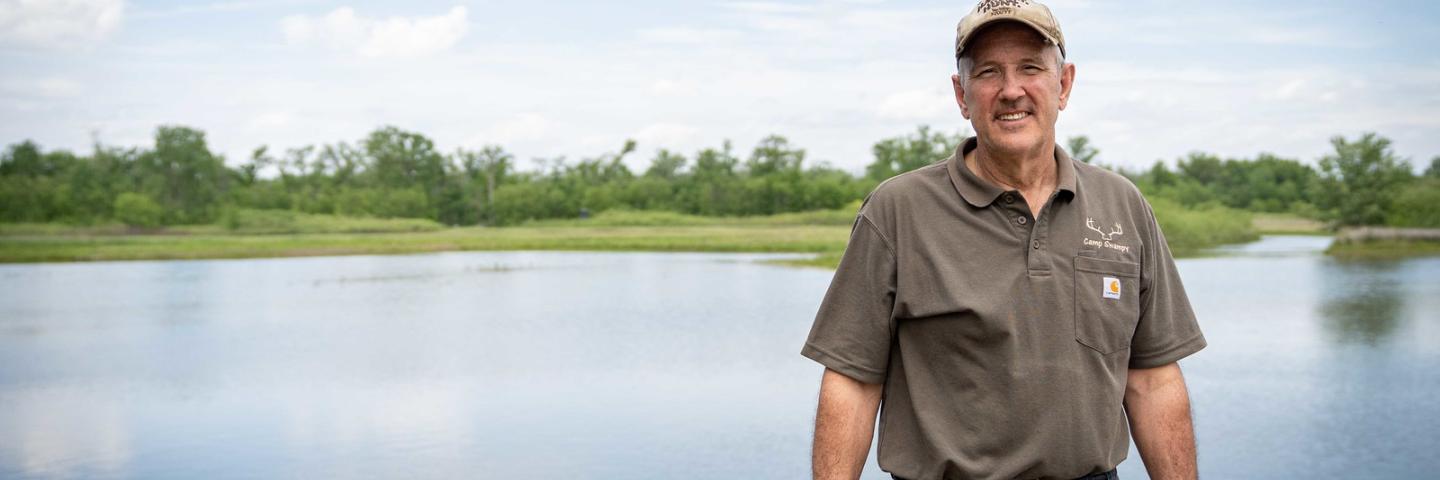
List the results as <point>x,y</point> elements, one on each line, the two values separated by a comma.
<point>1108,303</point>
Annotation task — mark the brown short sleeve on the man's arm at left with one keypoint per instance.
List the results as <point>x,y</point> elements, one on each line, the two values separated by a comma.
<point>853,329</point>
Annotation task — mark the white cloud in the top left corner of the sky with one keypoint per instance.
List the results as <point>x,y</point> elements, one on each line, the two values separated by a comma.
<point>58,24</point>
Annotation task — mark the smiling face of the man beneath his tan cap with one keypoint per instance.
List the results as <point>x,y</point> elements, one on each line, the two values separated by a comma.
<point>1014,92</point>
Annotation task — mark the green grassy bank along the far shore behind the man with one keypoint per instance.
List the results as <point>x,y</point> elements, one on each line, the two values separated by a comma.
<point>269,234</point>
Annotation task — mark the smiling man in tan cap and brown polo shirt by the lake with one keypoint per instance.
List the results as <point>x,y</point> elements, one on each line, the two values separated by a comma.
<point>1010,308</point>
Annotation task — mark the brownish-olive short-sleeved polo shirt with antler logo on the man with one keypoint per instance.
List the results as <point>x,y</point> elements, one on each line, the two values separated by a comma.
<point>1003,339</point>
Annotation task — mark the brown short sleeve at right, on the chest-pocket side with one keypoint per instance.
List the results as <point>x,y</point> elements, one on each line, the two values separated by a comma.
<point>1167,331</point>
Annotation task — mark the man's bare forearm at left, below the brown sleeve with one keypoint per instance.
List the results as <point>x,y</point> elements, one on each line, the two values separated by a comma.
<point>845,425</point>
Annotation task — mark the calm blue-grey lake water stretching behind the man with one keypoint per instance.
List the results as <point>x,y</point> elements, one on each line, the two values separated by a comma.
<point>581,365</point>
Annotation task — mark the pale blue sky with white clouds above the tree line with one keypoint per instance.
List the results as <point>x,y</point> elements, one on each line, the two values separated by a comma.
<point>1156,80</point>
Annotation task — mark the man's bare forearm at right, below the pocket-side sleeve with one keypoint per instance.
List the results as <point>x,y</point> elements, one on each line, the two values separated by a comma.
<point>1158,407</point>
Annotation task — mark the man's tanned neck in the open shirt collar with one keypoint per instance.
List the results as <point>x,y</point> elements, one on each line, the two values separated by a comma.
<point>1033,174</point>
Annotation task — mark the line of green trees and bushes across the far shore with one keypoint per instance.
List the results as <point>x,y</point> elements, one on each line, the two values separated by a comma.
<point>398,174</point>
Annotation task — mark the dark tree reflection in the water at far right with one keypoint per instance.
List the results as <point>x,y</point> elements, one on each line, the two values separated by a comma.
<point>1364,302</point>
